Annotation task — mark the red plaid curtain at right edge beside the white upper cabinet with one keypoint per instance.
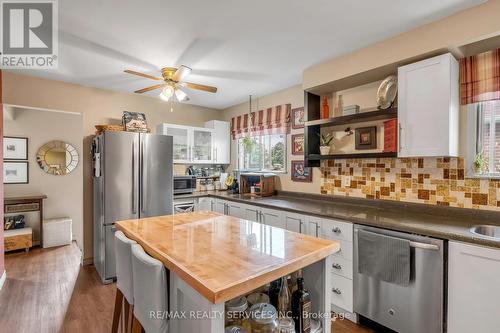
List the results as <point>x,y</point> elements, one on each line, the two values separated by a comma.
<point>480,77</point>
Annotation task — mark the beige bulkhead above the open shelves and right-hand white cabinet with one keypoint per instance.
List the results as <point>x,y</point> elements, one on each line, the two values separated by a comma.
<point>452,32</point>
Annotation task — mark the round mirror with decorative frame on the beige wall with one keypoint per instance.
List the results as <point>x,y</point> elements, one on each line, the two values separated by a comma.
<point>57,158</point>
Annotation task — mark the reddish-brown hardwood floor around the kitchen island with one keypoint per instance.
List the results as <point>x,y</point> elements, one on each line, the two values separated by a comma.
<point>48,291</point>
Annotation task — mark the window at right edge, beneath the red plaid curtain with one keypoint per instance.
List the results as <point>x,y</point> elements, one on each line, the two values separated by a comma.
<point>487,151</point>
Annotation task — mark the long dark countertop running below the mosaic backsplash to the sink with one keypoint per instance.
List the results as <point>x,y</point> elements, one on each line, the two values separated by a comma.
<point>435,221</point>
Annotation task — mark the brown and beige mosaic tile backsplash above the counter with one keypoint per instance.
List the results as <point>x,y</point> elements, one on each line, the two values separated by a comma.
<point>435,181</point>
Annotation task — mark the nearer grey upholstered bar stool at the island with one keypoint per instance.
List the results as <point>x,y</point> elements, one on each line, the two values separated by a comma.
<point>150,291</point>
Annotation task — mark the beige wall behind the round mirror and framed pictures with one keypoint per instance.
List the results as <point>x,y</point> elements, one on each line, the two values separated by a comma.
<point>64,193</point>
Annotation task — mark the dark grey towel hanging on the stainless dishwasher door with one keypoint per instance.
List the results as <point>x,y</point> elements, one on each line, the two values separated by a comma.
<point>384,257</point>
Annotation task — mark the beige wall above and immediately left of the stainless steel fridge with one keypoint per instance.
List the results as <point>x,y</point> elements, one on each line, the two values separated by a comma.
<point>96,106</point>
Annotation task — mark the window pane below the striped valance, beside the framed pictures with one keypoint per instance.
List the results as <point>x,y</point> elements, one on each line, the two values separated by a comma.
<point>262,153</point>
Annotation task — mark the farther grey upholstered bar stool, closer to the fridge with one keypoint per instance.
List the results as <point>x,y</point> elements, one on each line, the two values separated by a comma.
<point>124,286</point>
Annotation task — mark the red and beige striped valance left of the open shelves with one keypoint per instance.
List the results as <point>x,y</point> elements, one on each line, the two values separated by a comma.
<point>274,120</point>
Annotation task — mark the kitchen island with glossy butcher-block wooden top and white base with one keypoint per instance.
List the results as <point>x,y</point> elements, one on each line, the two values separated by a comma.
<point>213,258</point>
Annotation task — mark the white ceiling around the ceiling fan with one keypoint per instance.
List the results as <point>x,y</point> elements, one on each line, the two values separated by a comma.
<point>242,47</point>
